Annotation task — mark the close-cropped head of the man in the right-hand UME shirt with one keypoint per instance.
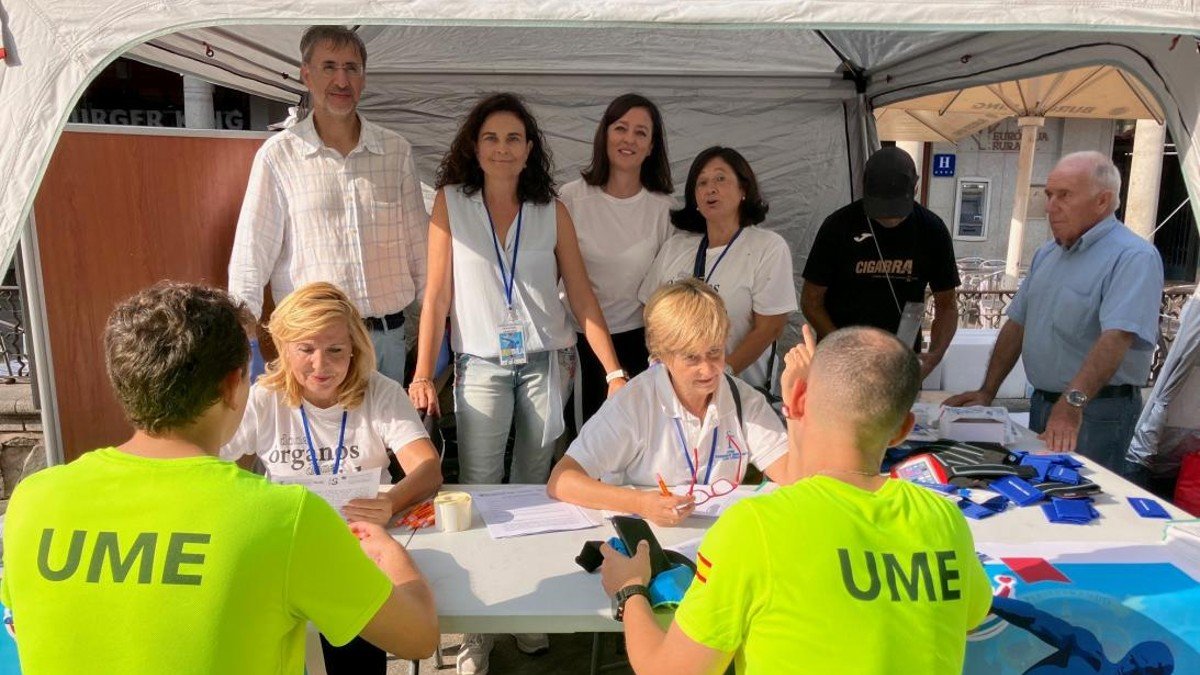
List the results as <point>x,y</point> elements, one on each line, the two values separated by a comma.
<point>874,377</point>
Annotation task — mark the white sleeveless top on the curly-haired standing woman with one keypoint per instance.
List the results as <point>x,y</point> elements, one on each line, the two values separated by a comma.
<point>479,306</point>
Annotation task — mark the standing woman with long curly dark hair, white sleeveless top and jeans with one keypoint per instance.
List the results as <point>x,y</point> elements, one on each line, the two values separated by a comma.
<point>500,243</point>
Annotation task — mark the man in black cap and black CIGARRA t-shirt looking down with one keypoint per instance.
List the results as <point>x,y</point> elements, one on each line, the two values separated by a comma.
<point>872,261</point>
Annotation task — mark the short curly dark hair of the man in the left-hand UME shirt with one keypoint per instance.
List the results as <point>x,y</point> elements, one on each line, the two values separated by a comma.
<point>169,348</point>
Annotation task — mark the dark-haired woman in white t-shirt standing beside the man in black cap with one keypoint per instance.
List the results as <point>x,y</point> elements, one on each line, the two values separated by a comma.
<point>722,244</point>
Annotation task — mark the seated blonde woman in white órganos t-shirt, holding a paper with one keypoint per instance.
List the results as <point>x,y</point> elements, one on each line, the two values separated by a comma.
<point>322,410</point>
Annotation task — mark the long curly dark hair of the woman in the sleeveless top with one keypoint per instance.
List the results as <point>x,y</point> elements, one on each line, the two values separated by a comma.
<point>460,166</point>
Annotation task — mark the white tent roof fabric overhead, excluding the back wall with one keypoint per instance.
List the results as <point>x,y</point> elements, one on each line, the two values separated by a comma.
<point>902,50</point>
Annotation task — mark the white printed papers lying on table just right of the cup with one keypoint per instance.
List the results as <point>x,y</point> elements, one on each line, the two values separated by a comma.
<point>527,510</point>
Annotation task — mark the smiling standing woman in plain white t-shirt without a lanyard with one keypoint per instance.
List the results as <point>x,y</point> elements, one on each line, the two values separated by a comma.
<point>621,210</point>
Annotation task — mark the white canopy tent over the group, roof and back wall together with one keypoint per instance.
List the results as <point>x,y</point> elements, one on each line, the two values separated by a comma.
<point>789,83</point>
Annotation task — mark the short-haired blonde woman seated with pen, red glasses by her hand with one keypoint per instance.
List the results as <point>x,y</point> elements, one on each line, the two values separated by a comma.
<point>679,420</point>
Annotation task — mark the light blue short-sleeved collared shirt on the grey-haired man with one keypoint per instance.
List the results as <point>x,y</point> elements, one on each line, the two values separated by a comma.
<point>1109,280</point>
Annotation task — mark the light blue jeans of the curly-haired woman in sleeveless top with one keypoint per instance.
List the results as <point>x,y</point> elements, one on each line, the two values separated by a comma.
<point>490,399</point>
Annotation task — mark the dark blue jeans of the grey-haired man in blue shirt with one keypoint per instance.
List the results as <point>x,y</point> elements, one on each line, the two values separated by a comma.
<point>1106,433</point>
